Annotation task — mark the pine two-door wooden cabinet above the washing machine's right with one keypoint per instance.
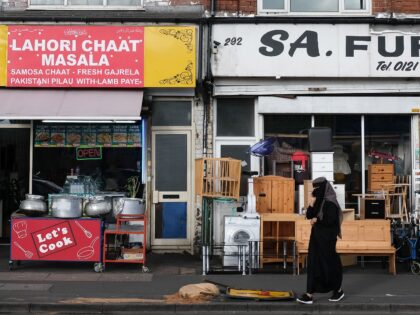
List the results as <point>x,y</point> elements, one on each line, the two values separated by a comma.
<point>274,194</point>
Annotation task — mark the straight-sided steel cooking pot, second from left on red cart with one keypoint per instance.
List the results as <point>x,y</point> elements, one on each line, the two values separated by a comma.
<point>66,206</point>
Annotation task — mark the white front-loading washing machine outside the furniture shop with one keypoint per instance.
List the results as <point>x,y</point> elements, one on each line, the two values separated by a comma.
<point>239,230</point>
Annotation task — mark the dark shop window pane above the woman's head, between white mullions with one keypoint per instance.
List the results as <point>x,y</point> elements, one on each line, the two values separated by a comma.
<point>346,132</point>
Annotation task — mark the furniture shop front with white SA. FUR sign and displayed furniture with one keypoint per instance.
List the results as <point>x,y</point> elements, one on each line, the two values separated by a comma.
<point>358,83</point>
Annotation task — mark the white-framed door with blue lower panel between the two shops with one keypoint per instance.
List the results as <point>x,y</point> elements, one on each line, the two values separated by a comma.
<point>171,188</point>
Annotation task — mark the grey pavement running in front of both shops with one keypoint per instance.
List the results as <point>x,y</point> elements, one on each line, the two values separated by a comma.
<point>74,288</point>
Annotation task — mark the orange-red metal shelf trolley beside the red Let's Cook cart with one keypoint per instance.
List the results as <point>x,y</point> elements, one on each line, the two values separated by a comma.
<point>126,225</point>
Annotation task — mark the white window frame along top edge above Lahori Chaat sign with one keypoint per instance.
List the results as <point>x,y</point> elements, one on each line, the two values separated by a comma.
<point>66,6</point>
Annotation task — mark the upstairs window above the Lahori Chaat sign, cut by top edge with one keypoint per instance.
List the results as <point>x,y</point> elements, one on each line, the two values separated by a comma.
<point>87,3</point>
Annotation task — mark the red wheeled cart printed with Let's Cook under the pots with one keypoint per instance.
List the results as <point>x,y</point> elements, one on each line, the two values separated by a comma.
<point>55,239</point>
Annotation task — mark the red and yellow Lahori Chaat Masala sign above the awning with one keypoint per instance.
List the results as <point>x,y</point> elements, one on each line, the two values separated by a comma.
<point>97,56</point>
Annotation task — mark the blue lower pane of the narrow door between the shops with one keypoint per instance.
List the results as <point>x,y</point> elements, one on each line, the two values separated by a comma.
<point>171,220</point>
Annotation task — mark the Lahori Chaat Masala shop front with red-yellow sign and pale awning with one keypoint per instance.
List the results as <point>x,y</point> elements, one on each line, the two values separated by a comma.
<point>74,126</point>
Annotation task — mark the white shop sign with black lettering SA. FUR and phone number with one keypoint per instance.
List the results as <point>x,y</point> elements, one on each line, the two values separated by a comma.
<point>315,50</point>
